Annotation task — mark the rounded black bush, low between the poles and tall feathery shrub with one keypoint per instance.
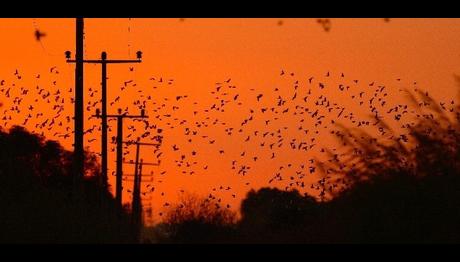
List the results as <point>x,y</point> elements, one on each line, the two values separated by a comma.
<point>272,215</point>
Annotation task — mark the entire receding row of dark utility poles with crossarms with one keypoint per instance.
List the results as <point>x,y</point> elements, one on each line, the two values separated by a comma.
<point>79,127</point>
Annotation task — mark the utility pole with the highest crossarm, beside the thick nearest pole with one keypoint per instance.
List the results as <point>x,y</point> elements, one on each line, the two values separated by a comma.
<point>103,61</point>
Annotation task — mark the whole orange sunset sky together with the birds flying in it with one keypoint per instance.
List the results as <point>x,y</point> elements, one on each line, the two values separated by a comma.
<point>241,104</point>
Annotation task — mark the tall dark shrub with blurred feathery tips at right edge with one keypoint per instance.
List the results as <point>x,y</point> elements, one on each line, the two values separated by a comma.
<point>405,191</point>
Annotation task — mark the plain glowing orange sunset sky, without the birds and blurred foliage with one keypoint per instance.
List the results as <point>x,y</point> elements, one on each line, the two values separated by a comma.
<point>197,53</point>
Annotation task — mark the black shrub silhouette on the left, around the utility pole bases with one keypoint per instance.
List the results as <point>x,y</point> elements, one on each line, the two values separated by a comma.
<point>36,201</point>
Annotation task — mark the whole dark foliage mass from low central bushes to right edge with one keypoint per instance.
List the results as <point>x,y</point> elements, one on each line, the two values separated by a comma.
<point>402,190</point>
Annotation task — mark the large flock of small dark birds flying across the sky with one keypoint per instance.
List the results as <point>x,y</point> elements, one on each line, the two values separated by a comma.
<point>283,128</point>
